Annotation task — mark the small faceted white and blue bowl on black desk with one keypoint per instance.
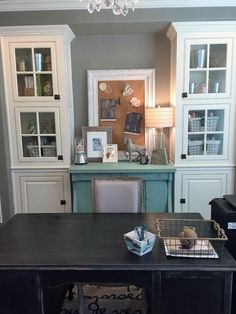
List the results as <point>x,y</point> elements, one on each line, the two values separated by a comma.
<point>138,247</point>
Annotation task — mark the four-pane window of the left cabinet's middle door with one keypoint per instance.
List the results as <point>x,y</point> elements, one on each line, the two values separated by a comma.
<point>38,134</point>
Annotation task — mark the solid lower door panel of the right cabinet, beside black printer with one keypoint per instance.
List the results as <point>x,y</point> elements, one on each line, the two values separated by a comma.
<point>199,190</point>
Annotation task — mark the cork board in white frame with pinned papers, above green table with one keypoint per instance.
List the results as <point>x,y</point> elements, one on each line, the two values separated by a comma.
<point>118,98</point>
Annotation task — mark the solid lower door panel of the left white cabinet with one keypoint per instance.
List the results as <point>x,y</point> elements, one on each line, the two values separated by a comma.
<point>42,194</point>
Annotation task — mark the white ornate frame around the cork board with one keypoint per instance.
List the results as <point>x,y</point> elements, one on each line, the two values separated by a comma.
<point>147,75</point>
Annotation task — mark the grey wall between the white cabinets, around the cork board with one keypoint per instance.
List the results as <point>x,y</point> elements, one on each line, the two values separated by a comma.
<point>101,52</point>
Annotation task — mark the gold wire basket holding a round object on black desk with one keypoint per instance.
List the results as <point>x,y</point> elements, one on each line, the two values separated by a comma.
<point>197,238</point>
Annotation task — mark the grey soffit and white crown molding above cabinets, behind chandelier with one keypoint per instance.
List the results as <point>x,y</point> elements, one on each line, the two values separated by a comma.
<point>150,16</point>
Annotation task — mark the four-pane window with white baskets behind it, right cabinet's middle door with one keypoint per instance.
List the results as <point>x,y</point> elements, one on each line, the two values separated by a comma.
<point>205,132</point>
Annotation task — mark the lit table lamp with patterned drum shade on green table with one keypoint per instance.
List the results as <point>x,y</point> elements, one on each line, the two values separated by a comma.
<point>159,118</point>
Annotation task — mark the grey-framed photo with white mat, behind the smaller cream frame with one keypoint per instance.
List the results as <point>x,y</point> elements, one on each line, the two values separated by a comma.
<point>95,138</point>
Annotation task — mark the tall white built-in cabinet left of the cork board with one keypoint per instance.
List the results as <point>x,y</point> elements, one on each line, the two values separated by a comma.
<point>36,63</point>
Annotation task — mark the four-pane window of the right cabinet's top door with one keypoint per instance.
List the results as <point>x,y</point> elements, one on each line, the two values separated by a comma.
<point>208,70</point>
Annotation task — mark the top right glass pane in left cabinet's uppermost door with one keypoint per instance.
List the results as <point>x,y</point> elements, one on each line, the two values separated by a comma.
<point>42,59</point>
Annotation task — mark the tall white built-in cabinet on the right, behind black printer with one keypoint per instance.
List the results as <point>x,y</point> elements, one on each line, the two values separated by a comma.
<point>202,142</point>
